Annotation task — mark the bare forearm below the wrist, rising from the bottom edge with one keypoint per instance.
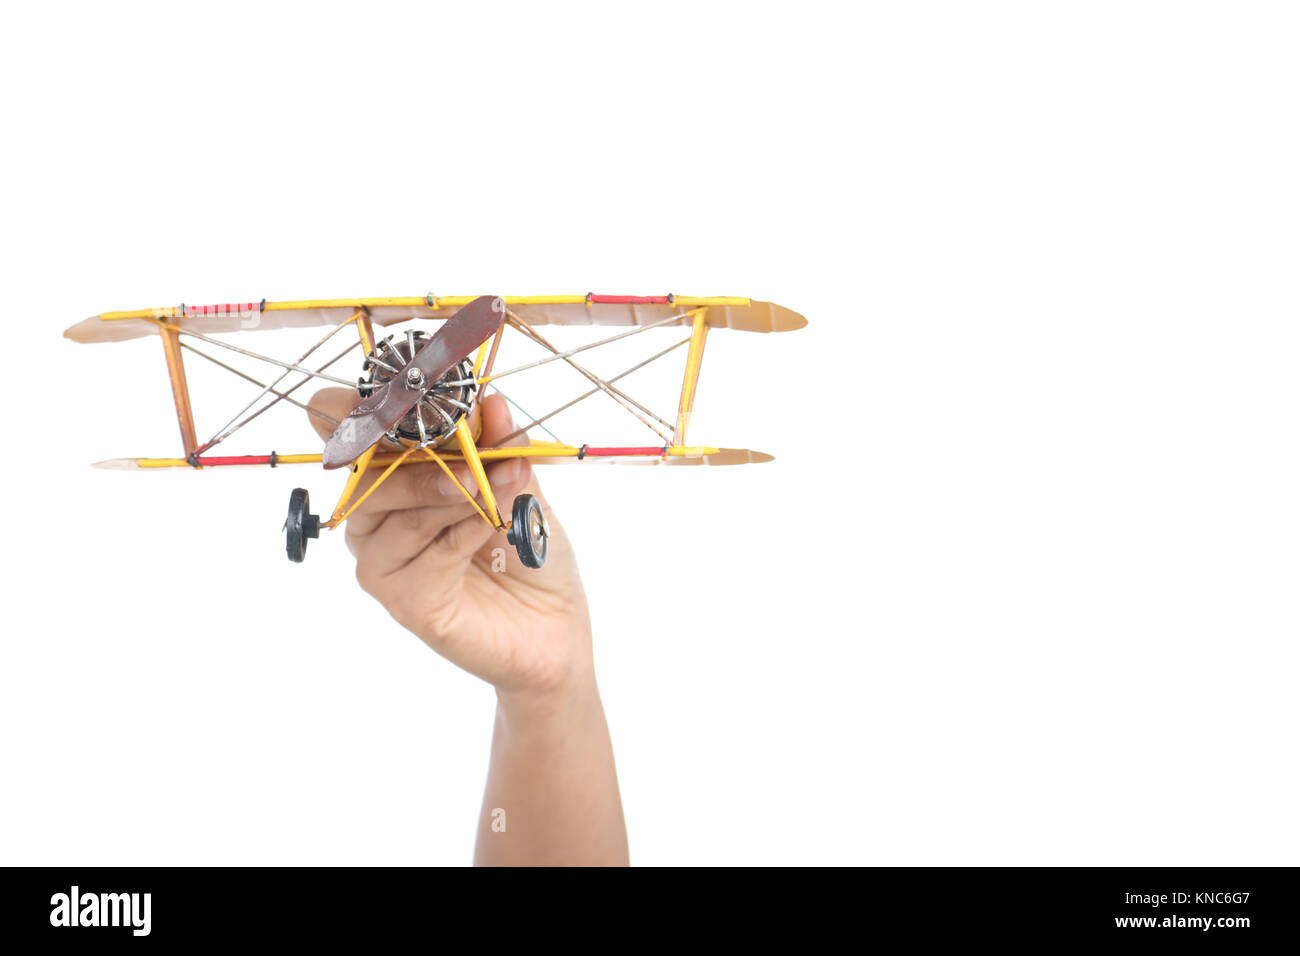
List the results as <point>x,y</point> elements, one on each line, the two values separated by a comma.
<point>553,794</point>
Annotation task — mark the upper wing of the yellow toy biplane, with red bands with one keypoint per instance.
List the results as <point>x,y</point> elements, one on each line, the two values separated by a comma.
<point>727,313</point>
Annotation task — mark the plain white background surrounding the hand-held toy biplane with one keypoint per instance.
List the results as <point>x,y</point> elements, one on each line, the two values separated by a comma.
<point>1020,587</point>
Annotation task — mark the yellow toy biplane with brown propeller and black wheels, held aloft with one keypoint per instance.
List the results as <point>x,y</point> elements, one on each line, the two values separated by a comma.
<point>419,387</point>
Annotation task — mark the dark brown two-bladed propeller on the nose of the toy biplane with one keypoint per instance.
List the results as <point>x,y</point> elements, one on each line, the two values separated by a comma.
<point>384,408</point>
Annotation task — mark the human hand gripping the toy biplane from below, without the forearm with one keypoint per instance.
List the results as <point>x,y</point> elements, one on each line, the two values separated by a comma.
<point>427,556</point>
